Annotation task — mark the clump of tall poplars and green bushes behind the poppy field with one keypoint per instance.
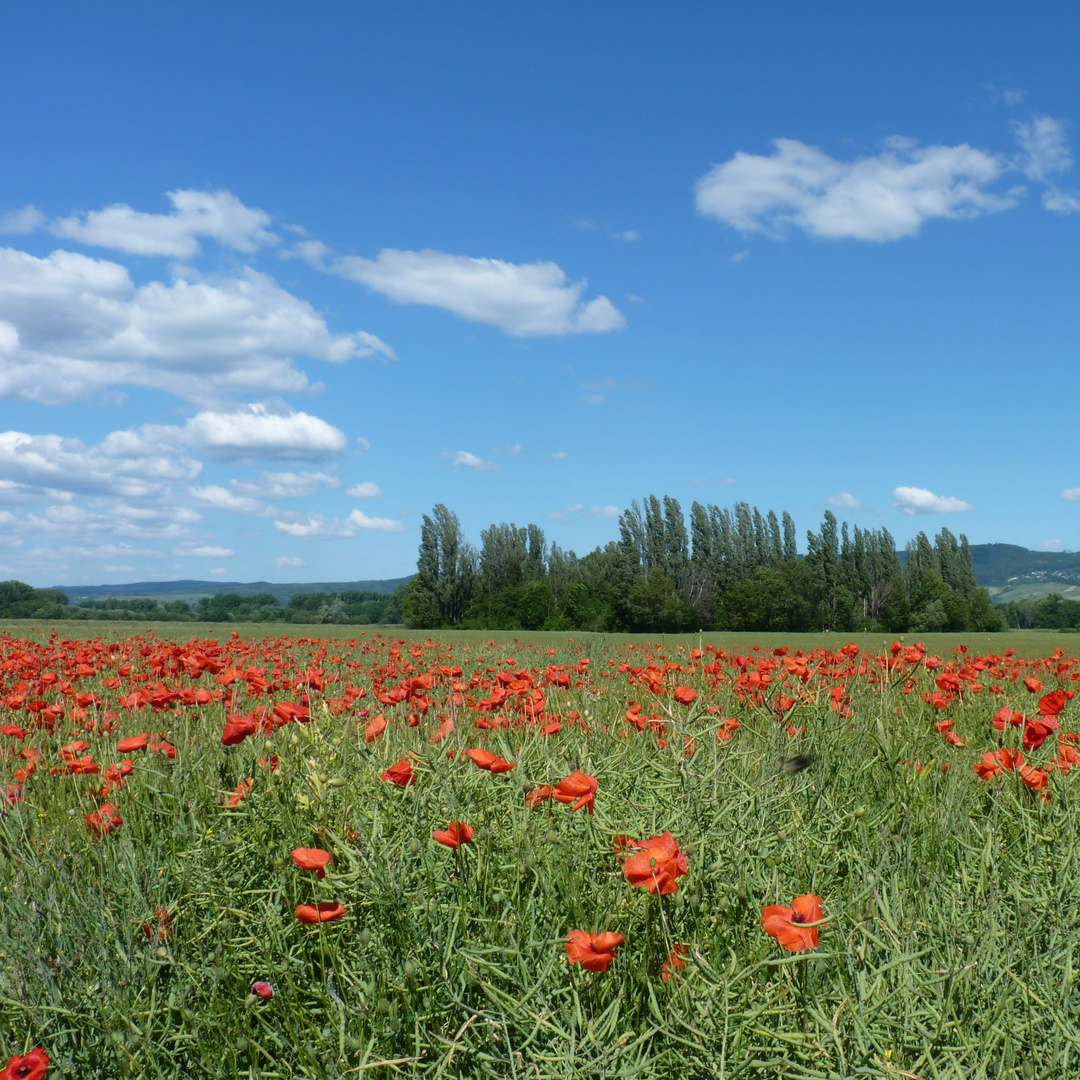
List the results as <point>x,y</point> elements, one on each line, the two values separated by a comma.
<point>723,569</point>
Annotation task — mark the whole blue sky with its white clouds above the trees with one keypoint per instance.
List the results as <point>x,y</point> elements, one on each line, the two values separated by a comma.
<point>277,280</point>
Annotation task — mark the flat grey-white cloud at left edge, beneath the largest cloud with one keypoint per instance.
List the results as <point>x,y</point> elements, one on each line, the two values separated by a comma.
<point>124,465</point>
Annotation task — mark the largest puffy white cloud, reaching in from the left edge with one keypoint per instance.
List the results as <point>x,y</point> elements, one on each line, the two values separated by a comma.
<point>73,327</point>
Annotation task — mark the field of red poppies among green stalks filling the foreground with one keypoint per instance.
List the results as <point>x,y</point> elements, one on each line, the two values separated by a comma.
<point>568,858</point>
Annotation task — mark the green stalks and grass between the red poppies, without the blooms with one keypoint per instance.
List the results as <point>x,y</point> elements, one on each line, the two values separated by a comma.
<point>953,904</point>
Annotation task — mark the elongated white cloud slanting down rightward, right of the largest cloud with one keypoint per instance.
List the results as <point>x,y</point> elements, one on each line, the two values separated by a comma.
<point>525,300</point>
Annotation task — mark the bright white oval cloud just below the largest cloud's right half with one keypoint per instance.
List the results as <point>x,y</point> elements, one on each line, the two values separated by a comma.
<point>258,431</point>
